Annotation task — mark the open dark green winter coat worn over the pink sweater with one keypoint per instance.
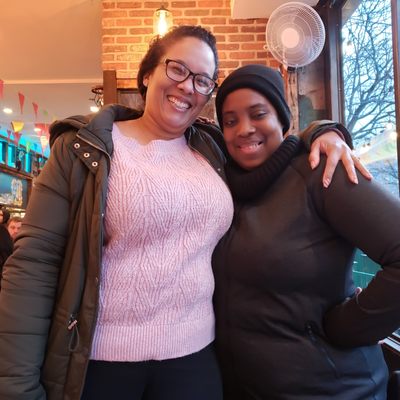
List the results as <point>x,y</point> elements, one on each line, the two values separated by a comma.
<point>48,301</point>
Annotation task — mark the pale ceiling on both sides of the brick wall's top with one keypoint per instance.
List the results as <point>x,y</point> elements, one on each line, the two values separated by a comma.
<point>50,53</point>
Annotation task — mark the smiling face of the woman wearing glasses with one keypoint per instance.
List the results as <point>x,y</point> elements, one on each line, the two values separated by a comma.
<point>171,106</point>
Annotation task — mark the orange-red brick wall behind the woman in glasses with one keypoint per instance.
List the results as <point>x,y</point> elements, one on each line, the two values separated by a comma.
<point>128,28</point>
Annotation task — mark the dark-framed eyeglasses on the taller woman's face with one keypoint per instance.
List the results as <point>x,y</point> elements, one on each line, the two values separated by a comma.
<point>179,72</point>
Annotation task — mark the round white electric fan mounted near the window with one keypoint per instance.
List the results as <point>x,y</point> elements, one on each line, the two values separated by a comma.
<point>295,34</point>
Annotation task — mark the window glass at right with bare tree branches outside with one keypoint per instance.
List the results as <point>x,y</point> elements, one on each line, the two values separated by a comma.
<point>368,98</point>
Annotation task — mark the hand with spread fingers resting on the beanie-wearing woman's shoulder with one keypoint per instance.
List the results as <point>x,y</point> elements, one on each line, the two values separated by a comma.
<point>331,144</point>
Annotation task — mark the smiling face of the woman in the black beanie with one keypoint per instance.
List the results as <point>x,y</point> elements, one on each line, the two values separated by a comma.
<point>252,130</point>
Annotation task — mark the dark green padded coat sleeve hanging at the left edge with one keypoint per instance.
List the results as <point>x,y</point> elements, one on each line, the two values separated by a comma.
<point>30,278</point>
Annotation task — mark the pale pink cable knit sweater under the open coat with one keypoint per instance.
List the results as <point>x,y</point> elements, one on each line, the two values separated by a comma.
<point>166,210</point>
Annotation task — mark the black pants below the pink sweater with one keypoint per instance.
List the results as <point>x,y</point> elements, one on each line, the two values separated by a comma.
<point>193,377</point>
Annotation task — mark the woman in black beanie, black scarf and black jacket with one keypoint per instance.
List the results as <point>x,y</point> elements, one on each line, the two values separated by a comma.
<point>290,323</point>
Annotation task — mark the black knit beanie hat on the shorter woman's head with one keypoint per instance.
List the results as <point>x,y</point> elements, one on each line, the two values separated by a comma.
<point>264,80</point>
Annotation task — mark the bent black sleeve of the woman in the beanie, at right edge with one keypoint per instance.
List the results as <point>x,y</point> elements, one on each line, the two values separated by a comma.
<point>368,217</point>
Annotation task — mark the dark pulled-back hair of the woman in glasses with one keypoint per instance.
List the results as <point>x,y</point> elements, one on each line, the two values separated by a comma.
<point>159,45</point>
